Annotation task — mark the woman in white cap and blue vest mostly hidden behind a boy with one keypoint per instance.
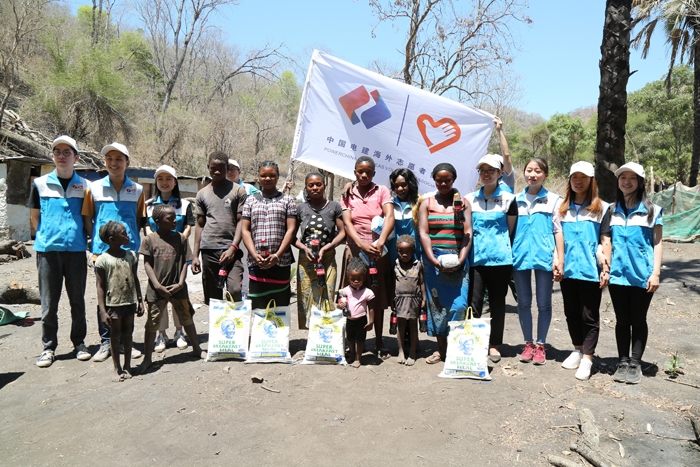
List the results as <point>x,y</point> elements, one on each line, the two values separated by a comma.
<point>166,190</point>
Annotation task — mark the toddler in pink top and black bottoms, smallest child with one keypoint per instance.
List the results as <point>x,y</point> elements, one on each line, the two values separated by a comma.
<point>358,308</point>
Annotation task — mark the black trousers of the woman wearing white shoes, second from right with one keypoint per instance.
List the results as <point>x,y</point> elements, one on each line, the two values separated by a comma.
<point>582,310</point>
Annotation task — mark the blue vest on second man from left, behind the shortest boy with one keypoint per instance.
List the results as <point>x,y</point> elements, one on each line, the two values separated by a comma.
<point>112,206</point>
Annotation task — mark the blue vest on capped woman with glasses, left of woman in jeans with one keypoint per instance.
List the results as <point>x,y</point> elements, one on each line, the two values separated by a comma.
<point>491,244</point>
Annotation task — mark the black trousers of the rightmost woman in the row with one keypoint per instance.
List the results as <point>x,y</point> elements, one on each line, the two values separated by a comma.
<point>631,305</point>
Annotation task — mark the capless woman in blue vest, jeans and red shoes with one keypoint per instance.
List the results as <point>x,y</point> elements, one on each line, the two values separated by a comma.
<point>534,250</point>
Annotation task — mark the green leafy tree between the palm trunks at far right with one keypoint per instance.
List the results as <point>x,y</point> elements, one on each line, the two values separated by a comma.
<point>661,127</point>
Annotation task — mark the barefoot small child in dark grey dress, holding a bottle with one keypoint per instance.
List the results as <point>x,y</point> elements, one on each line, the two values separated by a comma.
<point>410,297</point>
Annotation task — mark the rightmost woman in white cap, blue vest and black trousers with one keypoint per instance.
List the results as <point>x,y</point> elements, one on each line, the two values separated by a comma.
<point>636,230</point>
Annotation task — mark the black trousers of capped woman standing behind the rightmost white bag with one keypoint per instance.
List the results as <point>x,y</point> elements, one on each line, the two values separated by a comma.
<point>495,279</point>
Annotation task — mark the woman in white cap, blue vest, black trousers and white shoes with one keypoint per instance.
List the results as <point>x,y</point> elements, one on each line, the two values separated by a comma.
<point>583,222</point>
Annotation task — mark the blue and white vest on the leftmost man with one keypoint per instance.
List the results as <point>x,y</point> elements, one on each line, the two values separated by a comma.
<point>61,225</point>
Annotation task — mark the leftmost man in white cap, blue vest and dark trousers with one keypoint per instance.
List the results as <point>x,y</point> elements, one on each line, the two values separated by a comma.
<point>55,201</point>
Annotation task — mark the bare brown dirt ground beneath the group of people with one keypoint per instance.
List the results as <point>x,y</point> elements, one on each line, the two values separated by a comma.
<point>193,412</point>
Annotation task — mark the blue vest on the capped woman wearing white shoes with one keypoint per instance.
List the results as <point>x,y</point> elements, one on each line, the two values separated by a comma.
<point>581,237</point>
